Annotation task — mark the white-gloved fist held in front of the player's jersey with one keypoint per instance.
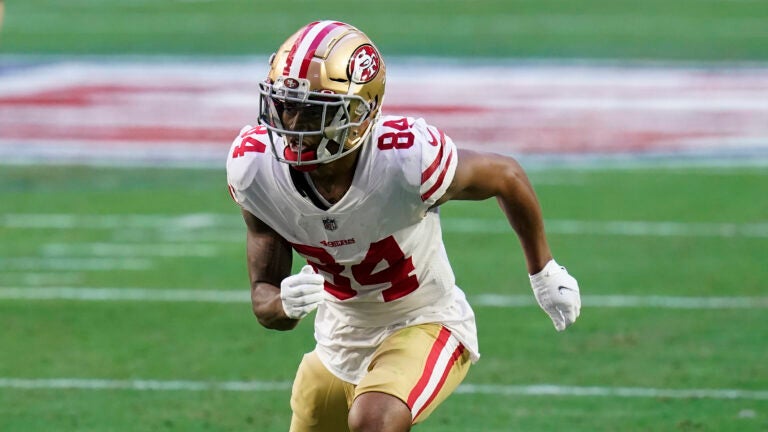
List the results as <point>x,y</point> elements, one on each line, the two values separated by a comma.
<point>301,293</point>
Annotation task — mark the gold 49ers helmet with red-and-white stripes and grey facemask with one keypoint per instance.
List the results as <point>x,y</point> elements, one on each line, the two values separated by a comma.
<point>330,73</point>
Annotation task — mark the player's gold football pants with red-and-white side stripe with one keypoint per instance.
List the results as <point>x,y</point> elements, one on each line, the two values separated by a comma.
<point>420,365</point>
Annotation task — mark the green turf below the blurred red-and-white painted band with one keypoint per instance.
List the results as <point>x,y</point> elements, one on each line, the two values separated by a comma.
<point>672,335</point>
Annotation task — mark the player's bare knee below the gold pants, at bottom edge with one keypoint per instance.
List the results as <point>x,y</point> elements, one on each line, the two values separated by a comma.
<point>379,412</point>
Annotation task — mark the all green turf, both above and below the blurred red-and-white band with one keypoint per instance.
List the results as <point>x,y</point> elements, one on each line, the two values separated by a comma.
<point>123,291</point>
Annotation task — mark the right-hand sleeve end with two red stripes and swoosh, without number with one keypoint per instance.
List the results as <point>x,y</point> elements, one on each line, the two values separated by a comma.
<point>439,159</point>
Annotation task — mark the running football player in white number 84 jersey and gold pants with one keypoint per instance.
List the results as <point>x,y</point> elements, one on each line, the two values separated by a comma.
<point>356,193</point>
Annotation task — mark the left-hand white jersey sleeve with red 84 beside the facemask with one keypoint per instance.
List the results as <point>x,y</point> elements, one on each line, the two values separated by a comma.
<point>243,160</point>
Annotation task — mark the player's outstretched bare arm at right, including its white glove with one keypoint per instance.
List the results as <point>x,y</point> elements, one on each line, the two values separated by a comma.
<point>480,176</point>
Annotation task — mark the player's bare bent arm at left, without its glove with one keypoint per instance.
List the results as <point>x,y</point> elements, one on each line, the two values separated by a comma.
<point>269,259</point>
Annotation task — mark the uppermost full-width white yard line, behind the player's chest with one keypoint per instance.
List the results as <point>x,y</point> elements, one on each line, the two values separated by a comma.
<point>192,223</point>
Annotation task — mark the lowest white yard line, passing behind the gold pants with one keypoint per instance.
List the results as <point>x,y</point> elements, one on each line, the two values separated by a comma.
<point>284,386</point>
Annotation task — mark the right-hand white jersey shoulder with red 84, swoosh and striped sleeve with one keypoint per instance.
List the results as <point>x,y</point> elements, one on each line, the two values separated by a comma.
<point>426,156</point>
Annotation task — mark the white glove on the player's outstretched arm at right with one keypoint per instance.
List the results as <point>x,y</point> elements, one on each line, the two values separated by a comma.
<point>557,293</point>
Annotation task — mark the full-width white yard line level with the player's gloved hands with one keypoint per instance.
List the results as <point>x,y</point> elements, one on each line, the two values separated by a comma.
<point>480,300</point>
